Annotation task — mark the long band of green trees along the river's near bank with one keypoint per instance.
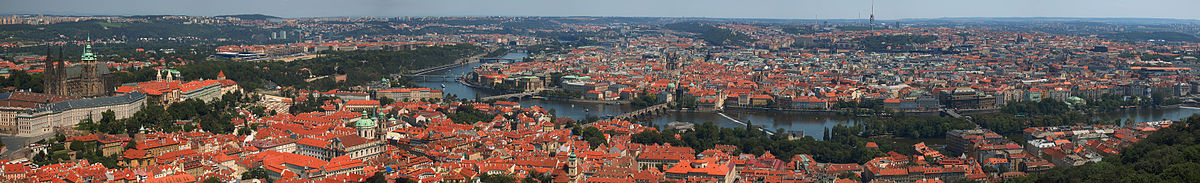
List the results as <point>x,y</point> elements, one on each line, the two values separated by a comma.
<point>841,144</point>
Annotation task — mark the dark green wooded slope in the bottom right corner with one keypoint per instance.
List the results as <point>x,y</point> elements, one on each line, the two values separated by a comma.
<point>1172,155</point>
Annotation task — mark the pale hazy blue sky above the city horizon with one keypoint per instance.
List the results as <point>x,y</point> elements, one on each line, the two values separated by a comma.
<point>728,9</point>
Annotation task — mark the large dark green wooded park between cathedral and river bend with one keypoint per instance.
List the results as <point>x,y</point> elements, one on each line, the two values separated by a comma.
<point>359,67</point>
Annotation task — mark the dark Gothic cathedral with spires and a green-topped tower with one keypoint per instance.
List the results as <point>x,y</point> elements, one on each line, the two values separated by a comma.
<point>87,79</point>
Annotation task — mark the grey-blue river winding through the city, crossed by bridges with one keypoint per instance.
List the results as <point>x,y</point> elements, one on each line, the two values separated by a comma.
<point>808,125</point>
